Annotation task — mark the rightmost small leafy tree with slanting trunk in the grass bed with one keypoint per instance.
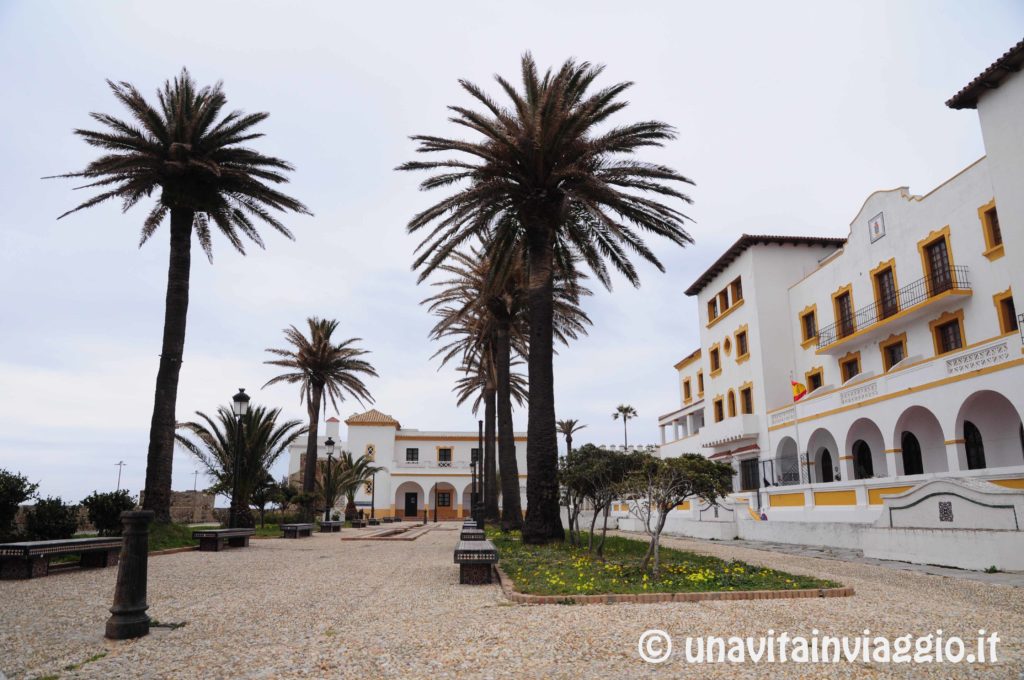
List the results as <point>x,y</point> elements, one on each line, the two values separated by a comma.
<point>658,486</point>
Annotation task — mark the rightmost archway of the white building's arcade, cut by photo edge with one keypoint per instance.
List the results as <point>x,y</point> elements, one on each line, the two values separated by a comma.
<point>990,428</point>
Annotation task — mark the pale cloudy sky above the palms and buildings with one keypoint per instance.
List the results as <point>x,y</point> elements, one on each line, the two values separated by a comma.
<point>789,114</point>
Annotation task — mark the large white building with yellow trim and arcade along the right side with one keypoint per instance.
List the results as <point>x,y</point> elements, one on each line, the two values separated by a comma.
<point>907,337</point>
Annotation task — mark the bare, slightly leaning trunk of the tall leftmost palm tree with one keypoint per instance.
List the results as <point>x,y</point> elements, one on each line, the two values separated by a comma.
<point>160,458</point>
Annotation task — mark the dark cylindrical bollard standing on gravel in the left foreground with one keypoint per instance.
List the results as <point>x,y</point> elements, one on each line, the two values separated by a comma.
<point>129,618</point>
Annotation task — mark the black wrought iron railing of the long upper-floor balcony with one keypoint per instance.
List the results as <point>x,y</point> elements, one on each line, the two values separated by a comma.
<point>912,295</point>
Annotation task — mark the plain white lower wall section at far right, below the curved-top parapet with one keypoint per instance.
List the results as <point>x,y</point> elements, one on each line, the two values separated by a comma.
<point>965,549</point>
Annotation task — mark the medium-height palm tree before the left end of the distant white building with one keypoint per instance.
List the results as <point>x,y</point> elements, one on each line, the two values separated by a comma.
<point>320,366</point>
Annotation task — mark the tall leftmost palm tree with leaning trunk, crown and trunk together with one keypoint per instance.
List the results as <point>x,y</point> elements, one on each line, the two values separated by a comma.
<point>203,176</point>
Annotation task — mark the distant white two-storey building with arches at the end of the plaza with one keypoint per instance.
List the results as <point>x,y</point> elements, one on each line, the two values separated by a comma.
<point>421,471</point>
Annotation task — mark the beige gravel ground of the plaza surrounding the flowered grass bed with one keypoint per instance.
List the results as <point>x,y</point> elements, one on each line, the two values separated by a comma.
<point>321,608</point>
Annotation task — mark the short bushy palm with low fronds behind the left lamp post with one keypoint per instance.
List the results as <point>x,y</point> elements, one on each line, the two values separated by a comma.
<point>214,441</point>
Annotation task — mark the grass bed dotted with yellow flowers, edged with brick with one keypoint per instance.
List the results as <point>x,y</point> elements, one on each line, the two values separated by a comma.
<point>564,570</point>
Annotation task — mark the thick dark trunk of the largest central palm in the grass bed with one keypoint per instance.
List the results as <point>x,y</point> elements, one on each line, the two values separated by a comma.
<point>544,521</point>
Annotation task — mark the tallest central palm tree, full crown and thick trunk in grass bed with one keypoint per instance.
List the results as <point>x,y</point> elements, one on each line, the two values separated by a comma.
<point>568,184</point>
